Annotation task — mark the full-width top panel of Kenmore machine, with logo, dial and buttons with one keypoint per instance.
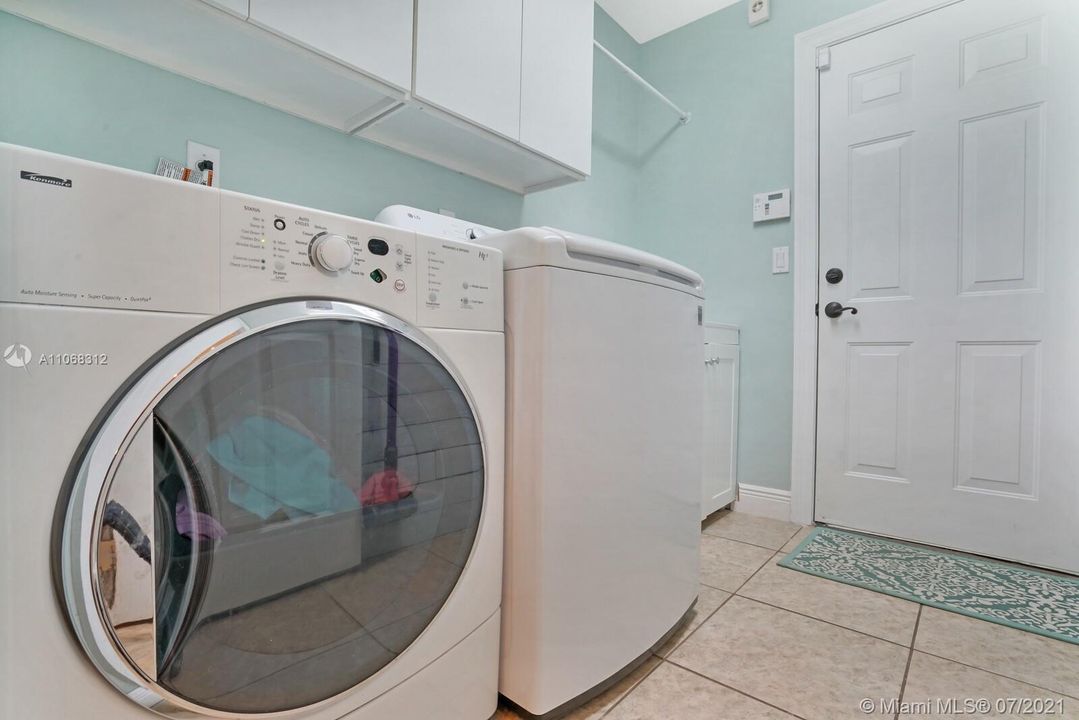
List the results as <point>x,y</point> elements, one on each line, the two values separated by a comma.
<point>85,235</point>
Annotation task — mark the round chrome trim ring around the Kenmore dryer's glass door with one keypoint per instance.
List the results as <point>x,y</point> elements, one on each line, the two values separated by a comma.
<point>127,425</point>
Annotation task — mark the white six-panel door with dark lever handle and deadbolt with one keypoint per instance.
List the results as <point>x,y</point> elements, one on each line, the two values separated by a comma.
<point>949,405</point>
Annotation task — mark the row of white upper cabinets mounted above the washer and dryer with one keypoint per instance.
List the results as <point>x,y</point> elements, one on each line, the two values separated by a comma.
<point>500,90</point>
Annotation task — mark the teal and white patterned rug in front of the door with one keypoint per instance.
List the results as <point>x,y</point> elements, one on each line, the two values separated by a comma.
<point>1009,595</point>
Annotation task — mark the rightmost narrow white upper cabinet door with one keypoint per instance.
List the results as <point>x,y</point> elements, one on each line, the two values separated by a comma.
<point>557,80</point>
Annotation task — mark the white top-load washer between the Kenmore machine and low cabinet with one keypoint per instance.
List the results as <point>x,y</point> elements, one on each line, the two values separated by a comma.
<point>605,374</point>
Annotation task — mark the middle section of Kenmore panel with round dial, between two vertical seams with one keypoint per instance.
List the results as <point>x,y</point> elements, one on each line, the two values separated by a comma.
<point>275,250</point>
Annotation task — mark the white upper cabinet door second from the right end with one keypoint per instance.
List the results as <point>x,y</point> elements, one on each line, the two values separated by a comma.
<point>469,61</point>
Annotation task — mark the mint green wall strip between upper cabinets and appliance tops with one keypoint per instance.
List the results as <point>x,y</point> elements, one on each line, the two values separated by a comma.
<point>65,96</point>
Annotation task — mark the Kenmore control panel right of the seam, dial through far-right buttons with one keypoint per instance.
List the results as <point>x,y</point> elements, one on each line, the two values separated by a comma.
<point>274,250</point>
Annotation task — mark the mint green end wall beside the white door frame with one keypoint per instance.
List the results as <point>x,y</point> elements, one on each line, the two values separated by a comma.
<point>695,193</point>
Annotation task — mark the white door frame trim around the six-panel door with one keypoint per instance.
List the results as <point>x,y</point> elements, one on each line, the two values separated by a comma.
<point>808,47</point>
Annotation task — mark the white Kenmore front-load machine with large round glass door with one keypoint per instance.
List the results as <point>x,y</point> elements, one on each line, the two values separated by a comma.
<point>253,456</point>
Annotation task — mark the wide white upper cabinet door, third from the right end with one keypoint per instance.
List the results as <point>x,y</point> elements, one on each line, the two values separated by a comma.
<point>372,36</point>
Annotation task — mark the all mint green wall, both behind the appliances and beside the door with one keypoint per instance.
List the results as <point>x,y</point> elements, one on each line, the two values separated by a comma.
<point>684,193</point>
